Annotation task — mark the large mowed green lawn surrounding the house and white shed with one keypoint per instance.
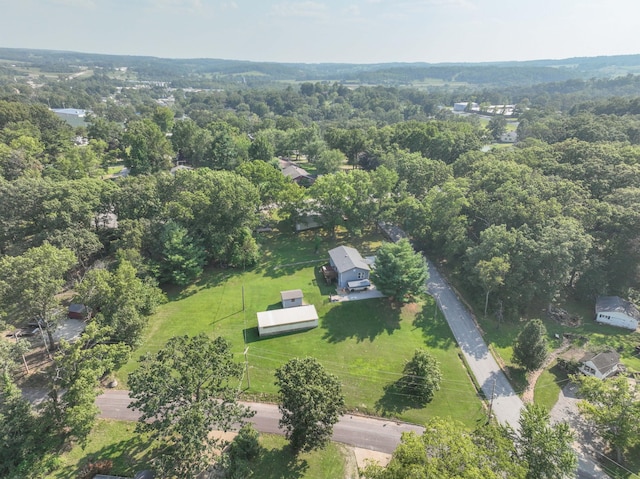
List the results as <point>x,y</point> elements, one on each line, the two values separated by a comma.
<point>364,343</point>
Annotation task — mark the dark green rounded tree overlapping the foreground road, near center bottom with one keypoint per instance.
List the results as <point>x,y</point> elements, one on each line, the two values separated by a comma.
<point>311,402</point>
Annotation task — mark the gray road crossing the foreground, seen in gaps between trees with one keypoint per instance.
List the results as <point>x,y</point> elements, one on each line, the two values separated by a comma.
<point>359,431</point>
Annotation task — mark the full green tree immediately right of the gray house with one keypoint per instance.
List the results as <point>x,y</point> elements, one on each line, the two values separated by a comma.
<point>400,272</point>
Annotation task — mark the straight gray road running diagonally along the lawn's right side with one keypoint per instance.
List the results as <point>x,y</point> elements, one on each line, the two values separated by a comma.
<point>506,403</point>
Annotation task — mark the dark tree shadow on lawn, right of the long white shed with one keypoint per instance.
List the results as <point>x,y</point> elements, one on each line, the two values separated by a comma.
<point>363,320</point>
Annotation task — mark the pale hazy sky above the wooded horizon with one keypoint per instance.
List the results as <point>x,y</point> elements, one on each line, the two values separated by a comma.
<point>327,31</point>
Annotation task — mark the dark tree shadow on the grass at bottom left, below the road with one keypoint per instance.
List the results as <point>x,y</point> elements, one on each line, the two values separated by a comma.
<point>128,456</point>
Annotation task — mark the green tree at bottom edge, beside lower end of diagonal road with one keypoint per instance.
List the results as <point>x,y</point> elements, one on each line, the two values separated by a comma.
<point>547,449</point>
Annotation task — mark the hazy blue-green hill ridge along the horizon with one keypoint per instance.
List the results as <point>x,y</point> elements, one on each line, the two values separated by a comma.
<point>524,73</point>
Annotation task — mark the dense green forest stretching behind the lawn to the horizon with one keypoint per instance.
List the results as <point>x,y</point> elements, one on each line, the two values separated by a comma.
<point>561,202</point>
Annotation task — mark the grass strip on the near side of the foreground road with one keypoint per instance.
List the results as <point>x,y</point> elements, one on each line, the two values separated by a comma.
<point>117,441</point>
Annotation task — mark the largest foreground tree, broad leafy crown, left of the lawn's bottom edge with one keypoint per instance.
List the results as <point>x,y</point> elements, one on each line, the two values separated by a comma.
<point>184,392</point>
